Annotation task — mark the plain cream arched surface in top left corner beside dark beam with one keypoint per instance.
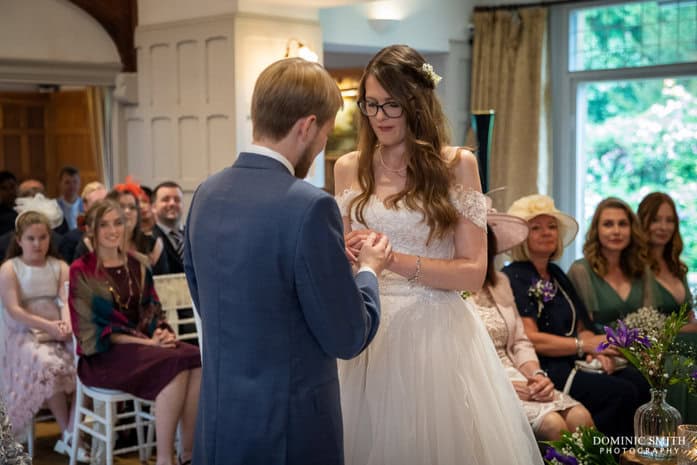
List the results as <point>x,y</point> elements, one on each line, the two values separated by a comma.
<point>55,31</point>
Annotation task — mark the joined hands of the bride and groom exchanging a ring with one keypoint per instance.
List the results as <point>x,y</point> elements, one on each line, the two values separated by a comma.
<point>365,247</point>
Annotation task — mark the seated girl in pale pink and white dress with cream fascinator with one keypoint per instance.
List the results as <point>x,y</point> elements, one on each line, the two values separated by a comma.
<point>36,347</point>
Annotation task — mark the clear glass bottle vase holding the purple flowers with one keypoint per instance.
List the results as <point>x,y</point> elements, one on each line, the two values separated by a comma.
<point>655,427</point>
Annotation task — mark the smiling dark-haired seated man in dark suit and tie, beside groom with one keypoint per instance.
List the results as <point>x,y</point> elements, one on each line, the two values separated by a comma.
<point>167,206</point>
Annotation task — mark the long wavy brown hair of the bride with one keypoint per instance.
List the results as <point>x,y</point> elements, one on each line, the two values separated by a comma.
<point>399,70</point>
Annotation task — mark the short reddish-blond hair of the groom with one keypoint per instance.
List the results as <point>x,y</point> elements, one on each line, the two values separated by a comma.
<point>288,90</point>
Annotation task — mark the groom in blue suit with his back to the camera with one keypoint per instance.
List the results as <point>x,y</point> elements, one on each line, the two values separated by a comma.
<point>264,256</point>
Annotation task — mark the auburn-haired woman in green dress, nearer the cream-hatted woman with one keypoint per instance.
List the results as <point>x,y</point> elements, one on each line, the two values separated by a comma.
<point>613,278</point>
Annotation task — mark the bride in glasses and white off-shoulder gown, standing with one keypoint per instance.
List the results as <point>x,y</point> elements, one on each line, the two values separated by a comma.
<point>430,389</point>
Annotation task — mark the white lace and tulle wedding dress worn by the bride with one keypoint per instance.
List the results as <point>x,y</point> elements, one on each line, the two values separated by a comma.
<point>429,389</point>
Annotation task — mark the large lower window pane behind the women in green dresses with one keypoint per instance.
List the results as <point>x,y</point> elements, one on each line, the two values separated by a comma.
<point>636,137</point>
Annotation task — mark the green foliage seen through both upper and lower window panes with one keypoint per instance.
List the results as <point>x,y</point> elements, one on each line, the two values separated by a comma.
<point>640,136</point>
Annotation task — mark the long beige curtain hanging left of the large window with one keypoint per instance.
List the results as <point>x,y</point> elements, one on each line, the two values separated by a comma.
<point>509,77</point>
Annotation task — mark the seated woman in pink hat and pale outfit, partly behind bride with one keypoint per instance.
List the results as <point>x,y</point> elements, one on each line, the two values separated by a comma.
<point>549,411</point>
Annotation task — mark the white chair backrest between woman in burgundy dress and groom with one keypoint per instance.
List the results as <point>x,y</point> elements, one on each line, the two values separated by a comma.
<point>173,291</point>
